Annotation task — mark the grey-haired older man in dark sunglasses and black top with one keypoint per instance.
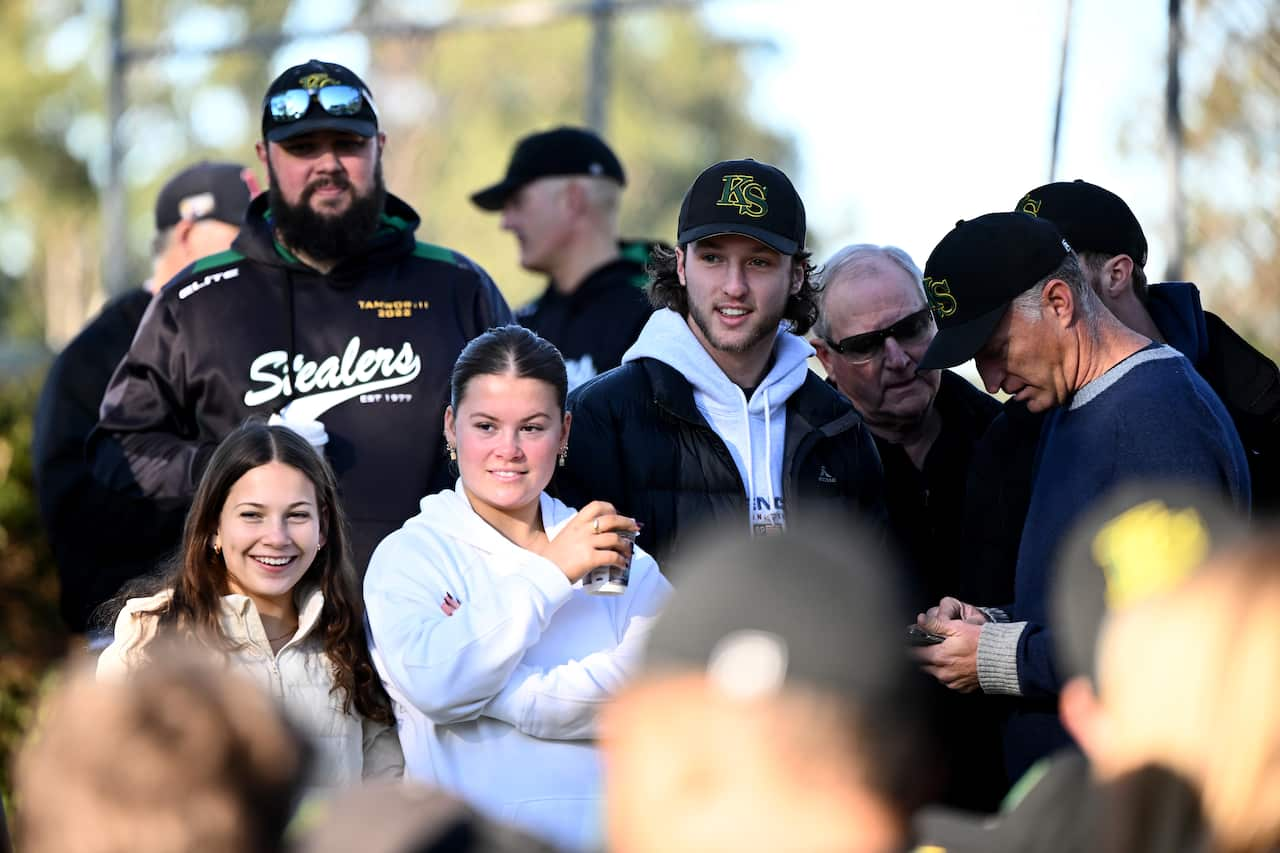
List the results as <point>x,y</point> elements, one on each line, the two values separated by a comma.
<point>874,329</point>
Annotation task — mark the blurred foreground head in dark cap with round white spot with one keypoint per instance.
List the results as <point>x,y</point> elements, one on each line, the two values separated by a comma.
<point>778,710</point>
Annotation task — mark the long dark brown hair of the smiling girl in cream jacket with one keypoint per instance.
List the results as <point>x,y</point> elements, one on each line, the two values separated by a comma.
<point>198,574</point>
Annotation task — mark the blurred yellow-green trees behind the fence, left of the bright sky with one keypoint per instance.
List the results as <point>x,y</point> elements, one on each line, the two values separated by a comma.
<point>452,107</point>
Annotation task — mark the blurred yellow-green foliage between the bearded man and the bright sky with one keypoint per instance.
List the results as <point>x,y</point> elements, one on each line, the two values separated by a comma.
<point>679,103</point>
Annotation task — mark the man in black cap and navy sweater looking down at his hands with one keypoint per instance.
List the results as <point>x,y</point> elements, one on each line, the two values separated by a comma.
<point>1008,291</point>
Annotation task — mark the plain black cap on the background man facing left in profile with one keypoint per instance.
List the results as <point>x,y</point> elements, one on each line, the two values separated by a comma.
<point>557,153</point>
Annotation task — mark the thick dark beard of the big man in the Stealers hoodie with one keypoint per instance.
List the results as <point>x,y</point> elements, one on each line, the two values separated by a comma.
<point>323,236</point>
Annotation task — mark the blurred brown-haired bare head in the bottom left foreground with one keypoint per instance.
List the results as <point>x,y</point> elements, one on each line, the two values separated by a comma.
<point>184,758</point>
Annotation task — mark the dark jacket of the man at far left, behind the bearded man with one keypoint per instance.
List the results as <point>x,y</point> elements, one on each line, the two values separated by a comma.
<point>83,519</point>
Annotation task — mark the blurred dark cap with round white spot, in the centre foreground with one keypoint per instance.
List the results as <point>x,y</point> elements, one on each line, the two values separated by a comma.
<point>816,608</point>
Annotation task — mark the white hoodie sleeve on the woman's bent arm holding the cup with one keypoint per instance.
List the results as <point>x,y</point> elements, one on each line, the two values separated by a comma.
<point>451,667</point>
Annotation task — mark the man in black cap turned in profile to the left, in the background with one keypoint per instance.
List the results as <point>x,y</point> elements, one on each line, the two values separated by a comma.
<point>560,198</point>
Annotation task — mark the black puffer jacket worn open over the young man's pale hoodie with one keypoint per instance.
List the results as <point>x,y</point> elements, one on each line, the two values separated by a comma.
<point>639,443</point>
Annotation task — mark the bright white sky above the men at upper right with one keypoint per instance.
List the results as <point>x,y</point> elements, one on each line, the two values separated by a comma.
<point>911,116</point>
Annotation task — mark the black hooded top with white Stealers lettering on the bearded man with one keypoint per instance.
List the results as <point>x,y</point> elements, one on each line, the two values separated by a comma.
<point>367,350</point>
